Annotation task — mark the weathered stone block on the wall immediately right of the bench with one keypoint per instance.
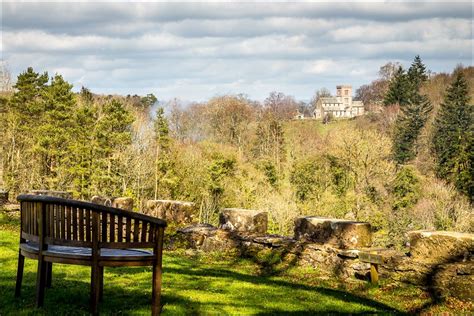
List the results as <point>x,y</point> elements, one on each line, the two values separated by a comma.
<point>177,212</point>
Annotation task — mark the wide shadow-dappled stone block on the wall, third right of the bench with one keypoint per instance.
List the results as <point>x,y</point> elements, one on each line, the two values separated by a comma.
<point>343,234</point>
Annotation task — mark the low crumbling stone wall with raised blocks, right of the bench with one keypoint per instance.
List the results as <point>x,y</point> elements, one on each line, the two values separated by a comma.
<point>439,261</point>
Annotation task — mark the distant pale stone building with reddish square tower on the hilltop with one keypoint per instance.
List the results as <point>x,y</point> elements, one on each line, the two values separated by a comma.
<point>340,106</point>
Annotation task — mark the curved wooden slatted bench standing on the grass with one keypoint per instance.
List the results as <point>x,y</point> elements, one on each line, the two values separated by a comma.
<point>56,230</point>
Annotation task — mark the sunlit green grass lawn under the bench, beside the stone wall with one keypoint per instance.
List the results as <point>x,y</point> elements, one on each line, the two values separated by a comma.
<point>201,285</point>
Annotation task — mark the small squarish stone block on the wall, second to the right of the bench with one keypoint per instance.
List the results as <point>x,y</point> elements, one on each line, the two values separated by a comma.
<point>244,221</point>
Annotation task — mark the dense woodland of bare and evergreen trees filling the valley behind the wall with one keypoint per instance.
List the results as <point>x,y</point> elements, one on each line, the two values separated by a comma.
<point>408,164</point>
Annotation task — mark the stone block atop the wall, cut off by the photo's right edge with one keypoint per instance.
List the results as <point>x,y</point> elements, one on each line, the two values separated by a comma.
<point>439,247</point>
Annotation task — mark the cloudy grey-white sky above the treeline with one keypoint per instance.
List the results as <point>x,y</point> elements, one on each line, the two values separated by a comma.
<point>194,51</point>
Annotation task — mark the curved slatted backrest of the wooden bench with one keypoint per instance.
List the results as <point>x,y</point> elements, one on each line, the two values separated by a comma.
<point>52,220</point>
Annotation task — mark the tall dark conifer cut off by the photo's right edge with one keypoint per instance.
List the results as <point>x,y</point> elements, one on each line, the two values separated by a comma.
<point>453,137</point>
